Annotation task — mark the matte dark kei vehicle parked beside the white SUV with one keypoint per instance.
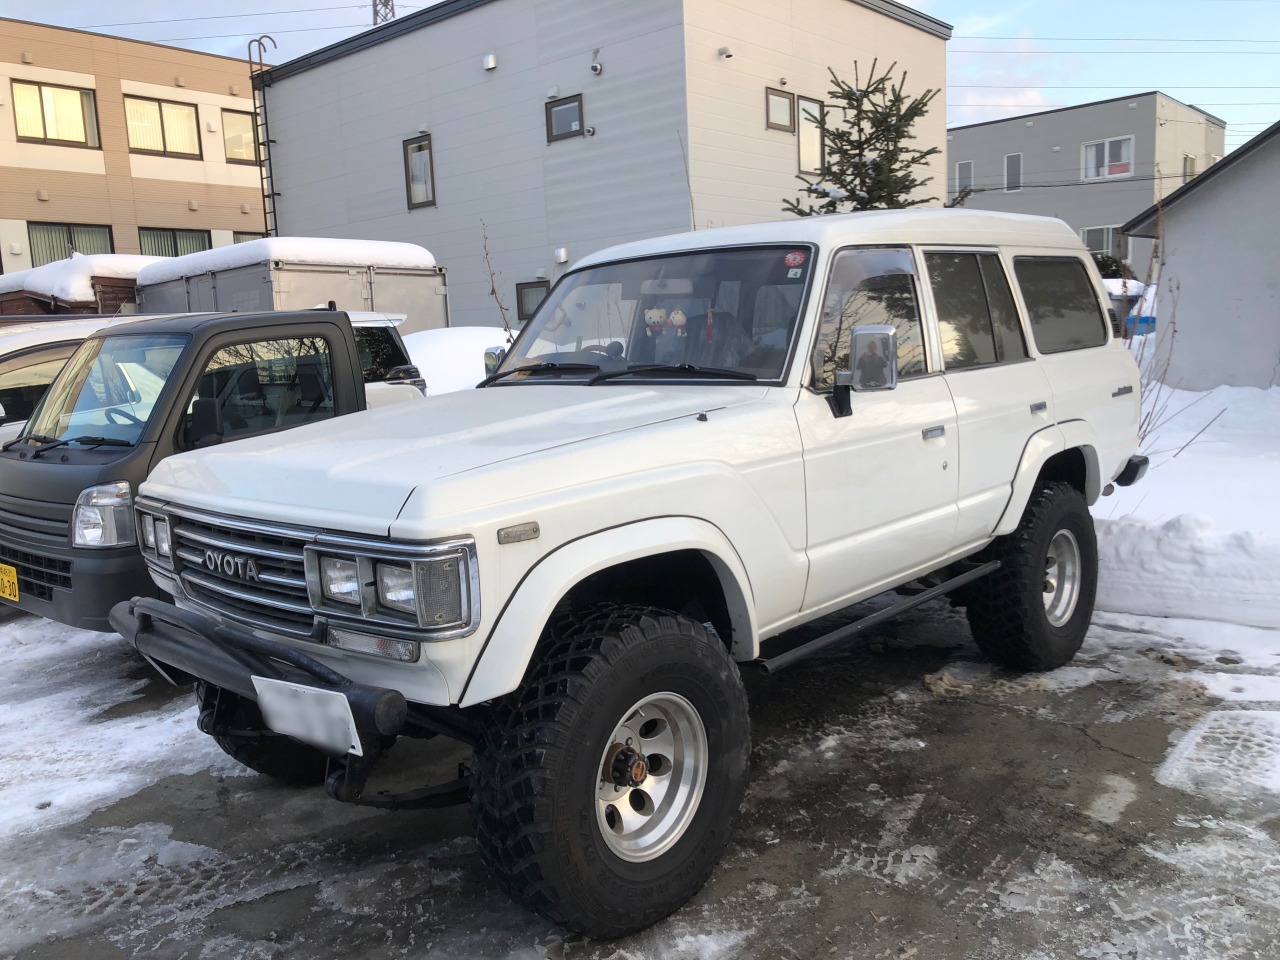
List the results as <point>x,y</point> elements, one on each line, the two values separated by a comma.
<point>135,394</point>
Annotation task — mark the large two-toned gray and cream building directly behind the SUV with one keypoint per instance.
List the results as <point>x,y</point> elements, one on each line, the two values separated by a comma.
<point>566,126</point>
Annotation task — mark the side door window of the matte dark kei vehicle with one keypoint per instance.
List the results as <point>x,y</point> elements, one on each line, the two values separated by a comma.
<point>268,385</point>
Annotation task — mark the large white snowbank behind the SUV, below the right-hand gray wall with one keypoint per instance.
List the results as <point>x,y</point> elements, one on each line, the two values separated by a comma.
<point>1199,537</point>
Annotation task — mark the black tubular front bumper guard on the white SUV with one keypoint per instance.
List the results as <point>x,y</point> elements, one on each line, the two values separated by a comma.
<point>186,647</point>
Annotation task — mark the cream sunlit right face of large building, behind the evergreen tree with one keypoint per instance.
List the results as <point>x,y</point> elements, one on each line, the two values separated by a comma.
<point>740,171</point>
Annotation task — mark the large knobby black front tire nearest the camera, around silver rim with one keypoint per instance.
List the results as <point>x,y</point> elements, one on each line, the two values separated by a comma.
<point>537,771</point>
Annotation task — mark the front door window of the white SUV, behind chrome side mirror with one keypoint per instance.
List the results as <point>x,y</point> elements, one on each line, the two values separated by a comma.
<point>870,286</point>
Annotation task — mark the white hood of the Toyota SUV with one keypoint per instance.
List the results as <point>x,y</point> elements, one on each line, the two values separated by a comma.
<point>355,474</point>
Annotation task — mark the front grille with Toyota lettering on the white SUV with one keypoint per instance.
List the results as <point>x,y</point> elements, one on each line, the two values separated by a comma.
<point>212,560</point>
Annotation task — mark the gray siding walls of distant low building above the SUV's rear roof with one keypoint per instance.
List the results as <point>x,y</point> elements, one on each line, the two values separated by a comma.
<point>1053,149</point>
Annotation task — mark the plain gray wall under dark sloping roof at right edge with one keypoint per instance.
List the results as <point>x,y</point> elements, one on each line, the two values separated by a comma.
<point>1219,286</point>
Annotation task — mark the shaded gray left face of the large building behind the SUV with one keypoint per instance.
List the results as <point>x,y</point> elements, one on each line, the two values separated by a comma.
<point>340,127</point>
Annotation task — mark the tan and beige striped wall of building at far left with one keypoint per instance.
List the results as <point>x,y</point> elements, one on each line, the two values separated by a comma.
<point>111,185</point>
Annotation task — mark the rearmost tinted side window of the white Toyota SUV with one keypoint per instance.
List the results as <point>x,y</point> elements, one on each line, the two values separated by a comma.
<point>1063,309</point>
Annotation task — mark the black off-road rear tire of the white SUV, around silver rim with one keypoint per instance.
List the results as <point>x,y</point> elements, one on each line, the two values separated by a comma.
<point>1008,609</point>
